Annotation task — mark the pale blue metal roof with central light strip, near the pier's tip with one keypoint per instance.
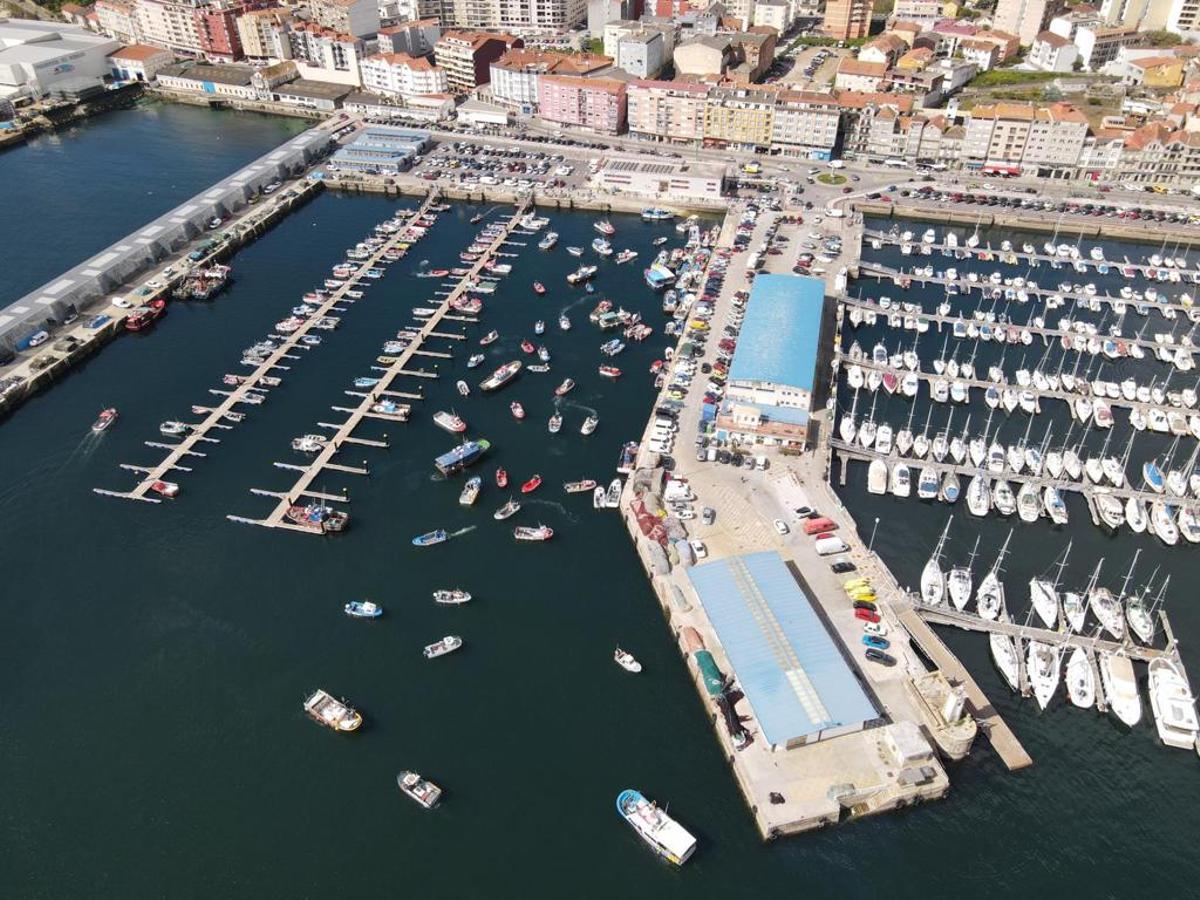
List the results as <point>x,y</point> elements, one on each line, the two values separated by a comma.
<point>789,665</point>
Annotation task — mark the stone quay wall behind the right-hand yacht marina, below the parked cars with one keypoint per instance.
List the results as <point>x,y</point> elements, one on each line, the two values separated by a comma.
<point>1078,227</point>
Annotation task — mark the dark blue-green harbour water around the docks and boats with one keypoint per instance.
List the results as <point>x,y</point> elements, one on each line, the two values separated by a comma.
<point>154,658</point>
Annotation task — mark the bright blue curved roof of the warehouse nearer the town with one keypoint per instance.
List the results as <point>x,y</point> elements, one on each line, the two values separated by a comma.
<point>781,332</point>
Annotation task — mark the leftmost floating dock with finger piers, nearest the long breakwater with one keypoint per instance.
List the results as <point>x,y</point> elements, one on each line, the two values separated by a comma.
<point>215,417</point>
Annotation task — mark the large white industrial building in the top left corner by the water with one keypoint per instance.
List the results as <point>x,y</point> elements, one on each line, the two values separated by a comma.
<point>44,58</point>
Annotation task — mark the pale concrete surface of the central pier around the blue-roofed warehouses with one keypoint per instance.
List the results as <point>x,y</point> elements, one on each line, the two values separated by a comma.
<point>844,777</point>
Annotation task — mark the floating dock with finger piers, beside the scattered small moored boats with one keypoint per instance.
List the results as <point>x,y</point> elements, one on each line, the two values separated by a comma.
<point>344,434</point>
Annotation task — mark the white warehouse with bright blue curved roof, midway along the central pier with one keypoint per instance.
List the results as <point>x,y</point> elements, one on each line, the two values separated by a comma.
<point>781,368</point>
